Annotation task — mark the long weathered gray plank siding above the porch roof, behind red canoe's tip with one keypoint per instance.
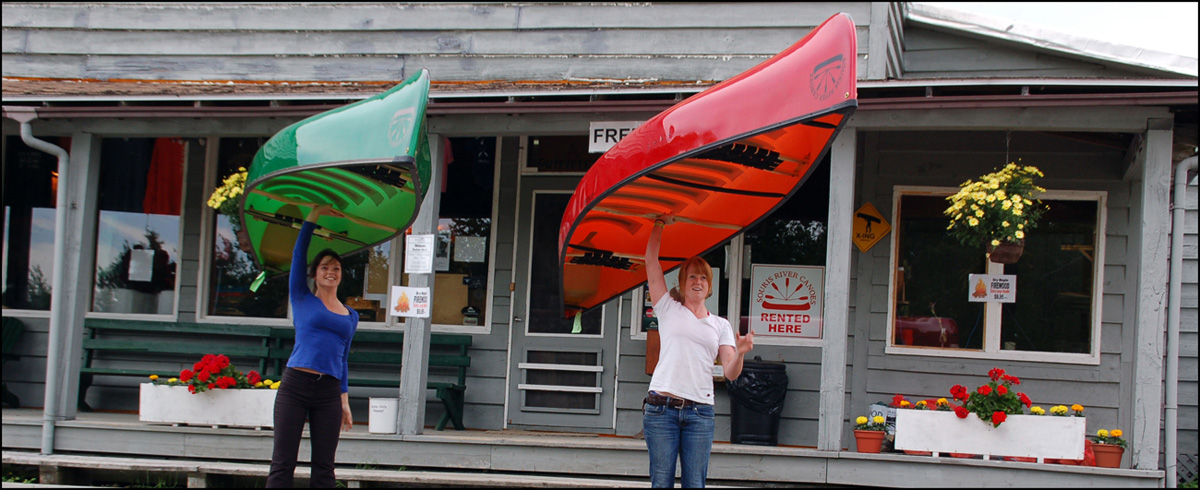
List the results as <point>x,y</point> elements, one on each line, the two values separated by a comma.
<point>388,41</point>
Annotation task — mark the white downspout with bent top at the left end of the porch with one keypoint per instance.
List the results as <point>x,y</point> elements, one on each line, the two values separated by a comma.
<point>25,116</point>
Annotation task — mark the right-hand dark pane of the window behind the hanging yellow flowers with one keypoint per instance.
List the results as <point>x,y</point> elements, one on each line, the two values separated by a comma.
<point>1054,283</point>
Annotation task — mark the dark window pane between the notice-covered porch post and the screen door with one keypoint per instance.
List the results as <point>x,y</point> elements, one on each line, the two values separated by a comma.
<point>465,224</point>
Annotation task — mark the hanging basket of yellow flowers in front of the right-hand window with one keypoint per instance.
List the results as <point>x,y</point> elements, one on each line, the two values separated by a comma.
<point>997,212</point>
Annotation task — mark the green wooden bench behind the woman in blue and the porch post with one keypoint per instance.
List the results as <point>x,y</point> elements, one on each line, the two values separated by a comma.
<point>383,349</point>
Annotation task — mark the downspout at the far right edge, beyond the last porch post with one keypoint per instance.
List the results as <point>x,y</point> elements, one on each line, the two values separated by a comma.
<point>1173,319</point>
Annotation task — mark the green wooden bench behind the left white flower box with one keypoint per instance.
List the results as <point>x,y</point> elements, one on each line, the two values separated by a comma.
<point>184,342</point>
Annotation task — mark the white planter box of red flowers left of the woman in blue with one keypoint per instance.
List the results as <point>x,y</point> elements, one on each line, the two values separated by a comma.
<point>212,393</point>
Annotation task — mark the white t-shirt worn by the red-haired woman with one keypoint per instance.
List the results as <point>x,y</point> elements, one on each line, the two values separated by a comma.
<point>688,350</point>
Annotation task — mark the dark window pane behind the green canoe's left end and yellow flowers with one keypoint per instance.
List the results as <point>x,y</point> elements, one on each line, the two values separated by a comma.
<point>233,270</point>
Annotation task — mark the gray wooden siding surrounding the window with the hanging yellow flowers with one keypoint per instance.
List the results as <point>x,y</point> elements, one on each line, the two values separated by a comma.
<point>943,159</point>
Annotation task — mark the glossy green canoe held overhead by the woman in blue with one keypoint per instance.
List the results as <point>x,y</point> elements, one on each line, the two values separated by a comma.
<point>369,160</point>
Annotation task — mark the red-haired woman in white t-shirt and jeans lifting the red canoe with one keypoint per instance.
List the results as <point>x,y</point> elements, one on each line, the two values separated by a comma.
<point>677,415</point>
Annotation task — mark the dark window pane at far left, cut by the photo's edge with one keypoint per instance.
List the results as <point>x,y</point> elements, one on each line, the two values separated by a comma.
<point>31,187</point>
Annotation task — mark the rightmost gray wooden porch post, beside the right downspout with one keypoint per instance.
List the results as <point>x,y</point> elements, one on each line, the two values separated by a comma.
<point>1154,214</point>
